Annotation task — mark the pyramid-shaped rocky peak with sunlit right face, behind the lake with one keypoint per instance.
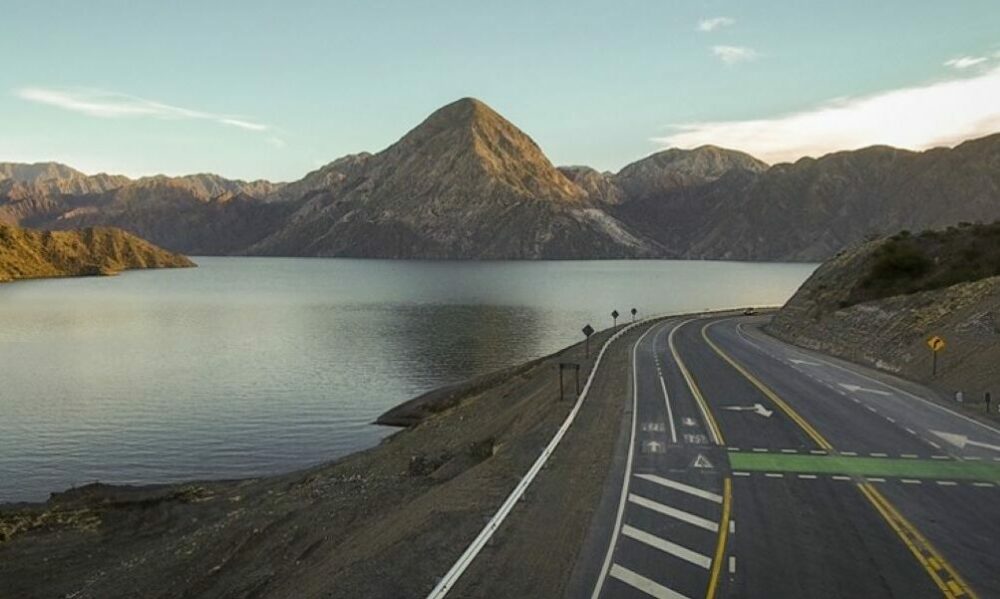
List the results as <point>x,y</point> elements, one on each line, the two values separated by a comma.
<point>465,183</point>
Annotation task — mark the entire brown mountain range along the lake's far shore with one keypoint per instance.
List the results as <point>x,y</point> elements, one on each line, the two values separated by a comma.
<point>468,184</point>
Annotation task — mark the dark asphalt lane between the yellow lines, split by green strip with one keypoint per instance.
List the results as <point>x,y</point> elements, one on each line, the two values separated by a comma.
<point>797,536</point>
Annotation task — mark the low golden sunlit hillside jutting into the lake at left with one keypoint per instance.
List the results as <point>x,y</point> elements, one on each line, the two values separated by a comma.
<point>28,254</point>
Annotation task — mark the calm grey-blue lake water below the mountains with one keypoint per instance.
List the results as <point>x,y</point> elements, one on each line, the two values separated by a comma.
<point>251,366</point>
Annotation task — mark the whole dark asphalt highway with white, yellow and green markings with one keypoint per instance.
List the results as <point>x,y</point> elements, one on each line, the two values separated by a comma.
<point>752,468</point>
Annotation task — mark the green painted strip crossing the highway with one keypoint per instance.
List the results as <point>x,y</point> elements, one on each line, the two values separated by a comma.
<point>865,466</point>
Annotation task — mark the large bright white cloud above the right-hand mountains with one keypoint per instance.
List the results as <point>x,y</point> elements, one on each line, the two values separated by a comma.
<point>943,113</point>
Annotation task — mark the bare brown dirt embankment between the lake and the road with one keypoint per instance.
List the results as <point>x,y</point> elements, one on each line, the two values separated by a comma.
<point>386,522</point>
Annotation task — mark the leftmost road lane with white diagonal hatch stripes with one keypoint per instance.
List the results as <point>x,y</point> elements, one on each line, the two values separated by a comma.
<point>673,495</point>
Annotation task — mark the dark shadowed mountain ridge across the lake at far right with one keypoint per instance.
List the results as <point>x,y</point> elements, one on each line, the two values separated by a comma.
<point>813,208</point>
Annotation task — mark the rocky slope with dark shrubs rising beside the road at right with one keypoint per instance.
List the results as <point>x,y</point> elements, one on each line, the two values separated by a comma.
<point>878,305</point>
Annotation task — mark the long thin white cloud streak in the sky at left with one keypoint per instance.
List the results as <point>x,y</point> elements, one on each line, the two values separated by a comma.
<point>106,104</point>
